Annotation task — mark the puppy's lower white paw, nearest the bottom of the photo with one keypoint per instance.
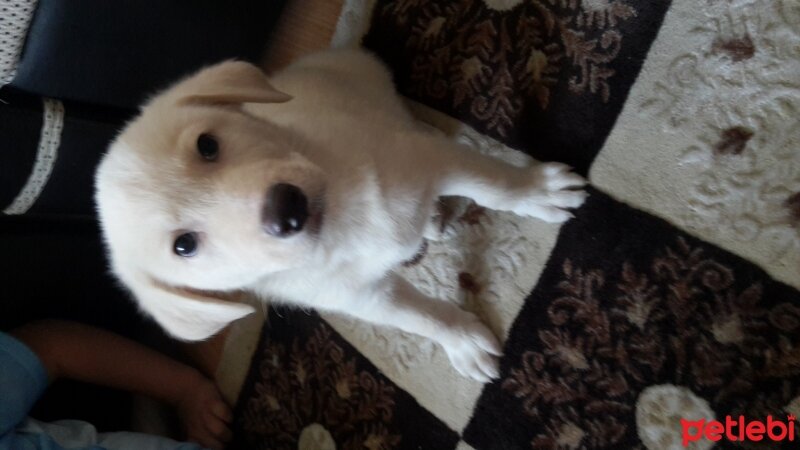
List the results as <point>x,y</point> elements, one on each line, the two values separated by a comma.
<point>473,349</point>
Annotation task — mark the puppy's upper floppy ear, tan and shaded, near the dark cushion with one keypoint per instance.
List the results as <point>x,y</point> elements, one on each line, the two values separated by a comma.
<point>229,82</point>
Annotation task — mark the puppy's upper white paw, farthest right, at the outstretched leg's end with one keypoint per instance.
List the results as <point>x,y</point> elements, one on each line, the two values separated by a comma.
<point>550,190</point>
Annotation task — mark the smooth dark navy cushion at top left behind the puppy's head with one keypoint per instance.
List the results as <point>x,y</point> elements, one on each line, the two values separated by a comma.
<point>120,52</point>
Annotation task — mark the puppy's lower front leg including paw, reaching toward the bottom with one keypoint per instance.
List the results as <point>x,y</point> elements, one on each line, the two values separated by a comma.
<point>471,347</point>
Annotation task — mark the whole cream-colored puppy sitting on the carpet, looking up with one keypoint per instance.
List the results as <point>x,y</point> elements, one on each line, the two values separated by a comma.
<point>309,188</point>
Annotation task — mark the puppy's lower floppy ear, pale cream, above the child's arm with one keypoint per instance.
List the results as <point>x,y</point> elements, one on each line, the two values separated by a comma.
<point>185,314</point>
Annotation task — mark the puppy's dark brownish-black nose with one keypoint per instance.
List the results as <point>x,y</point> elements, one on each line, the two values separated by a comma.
<point>285,211</point>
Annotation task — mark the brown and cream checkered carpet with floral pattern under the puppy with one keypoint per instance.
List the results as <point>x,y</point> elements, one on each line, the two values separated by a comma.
<point>671,295</point>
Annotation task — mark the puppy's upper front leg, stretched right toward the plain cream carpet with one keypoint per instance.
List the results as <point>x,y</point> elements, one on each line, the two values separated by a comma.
<point>541,190</point>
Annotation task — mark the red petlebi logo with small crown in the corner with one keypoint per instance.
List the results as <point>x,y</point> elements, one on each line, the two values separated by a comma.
<point>739,430</point>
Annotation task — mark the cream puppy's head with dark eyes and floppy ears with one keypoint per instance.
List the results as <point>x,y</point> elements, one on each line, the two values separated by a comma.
<point>198,198</point>
